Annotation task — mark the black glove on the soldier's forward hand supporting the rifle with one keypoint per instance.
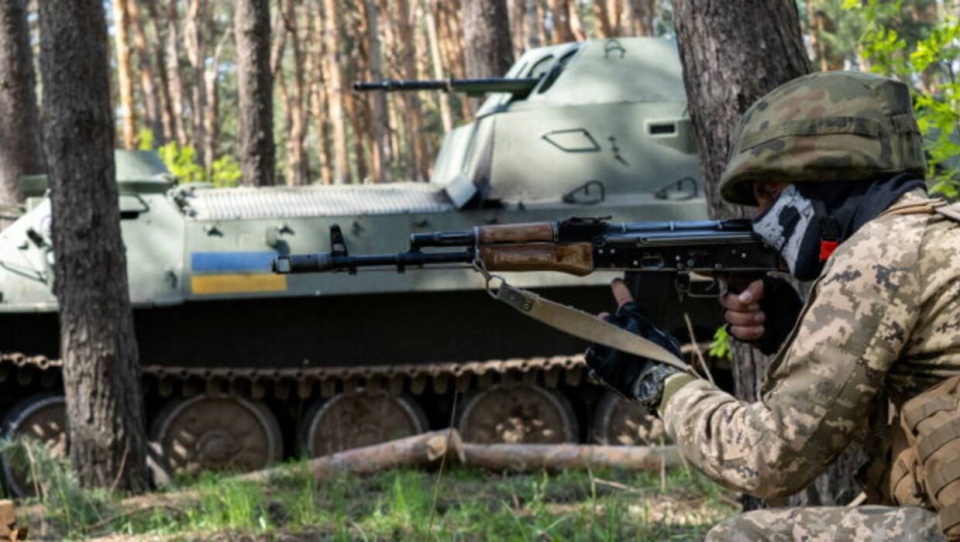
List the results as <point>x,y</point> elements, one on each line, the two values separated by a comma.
<point>632,376</point>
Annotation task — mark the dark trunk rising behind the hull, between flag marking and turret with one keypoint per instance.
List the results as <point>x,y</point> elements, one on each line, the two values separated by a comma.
<point>254,86</point>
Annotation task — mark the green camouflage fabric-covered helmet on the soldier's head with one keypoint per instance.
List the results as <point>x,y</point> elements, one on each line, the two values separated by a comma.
<point>829,126</point>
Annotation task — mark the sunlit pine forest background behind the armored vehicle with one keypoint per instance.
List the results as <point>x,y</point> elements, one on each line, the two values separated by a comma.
<point>174,66</point>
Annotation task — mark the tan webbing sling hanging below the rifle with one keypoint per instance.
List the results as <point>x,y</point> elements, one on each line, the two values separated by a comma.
<point>584,325</point>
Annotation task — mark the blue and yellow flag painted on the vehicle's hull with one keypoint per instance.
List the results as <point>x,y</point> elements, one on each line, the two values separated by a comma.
<point>234,273</point>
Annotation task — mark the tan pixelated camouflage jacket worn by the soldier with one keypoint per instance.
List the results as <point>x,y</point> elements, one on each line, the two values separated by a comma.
<point>885,314</point>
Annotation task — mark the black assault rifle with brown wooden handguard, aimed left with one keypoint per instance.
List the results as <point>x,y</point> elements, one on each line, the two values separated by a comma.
<point>577,246</point>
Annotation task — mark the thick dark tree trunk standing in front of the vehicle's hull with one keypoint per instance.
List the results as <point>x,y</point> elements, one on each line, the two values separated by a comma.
<point>97,341</point>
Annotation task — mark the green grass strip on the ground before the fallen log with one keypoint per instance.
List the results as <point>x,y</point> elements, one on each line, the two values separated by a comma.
<point>458,504</point>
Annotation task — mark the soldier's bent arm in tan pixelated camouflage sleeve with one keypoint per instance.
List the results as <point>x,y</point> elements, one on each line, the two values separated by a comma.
<point>821,388</point>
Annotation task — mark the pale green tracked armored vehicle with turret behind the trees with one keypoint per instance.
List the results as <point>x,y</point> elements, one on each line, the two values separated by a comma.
<point>243,367</point>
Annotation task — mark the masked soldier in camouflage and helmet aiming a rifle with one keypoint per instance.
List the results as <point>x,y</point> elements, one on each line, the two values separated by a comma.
<point>834,164</point>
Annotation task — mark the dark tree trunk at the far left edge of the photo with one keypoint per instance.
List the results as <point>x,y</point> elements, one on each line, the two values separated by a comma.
<point>20,150</point>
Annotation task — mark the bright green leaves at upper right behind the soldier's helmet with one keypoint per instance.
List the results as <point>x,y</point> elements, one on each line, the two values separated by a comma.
<point>926,61</point>
